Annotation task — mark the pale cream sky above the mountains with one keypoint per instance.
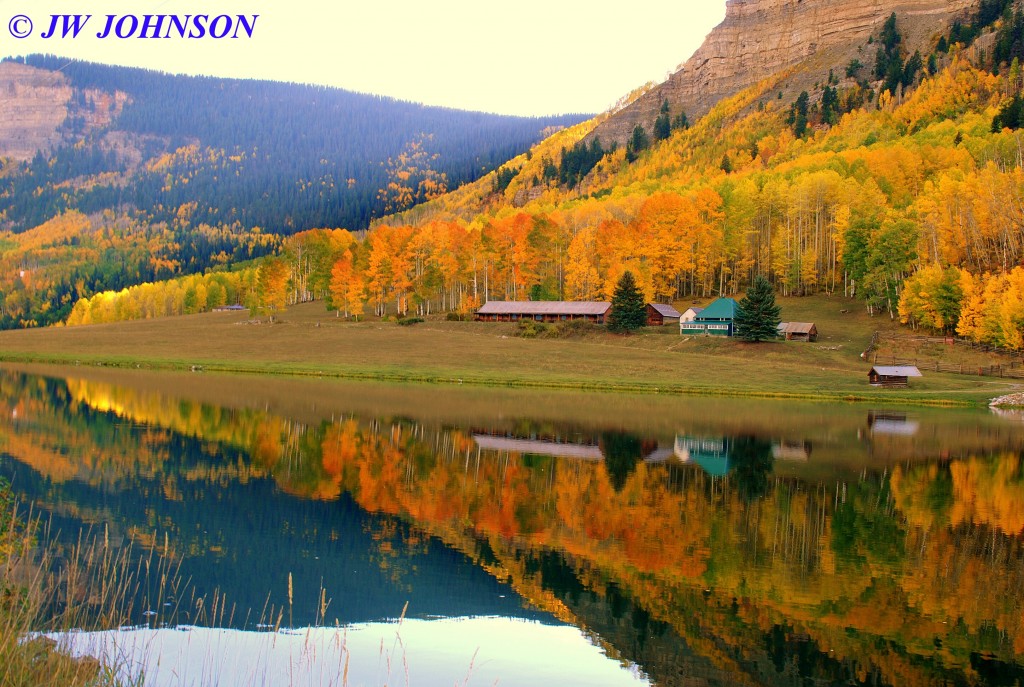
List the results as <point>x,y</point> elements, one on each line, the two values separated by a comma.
<point>524,58</point>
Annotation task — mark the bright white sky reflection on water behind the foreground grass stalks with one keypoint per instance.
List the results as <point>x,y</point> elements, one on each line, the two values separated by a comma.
<point>375,654</point>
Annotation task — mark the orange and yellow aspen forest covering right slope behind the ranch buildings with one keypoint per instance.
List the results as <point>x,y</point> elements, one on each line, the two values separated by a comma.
<point>908,200</point>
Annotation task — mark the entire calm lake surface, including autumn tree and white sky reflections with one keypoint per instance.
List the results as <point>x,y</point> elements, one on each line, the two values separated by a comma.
<point>449,536</point>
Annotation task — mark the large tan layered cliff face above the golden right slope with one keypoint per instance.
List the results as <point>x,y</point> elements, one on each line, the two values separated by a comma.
<point>759,38</point>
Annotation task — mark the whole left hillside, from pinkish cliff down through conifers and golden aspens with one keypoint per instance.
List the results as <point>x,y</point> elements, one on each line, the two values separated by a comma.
<point>115,177</point>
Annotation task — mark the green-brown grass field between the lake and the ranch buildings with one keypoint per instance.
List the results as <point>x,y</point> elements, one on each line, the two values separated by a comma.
<point>309,340</point>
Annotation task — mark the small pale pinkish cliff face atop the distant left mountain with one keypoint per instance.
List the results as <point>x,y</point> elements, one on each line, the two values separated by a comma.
<point>35,106</point>
